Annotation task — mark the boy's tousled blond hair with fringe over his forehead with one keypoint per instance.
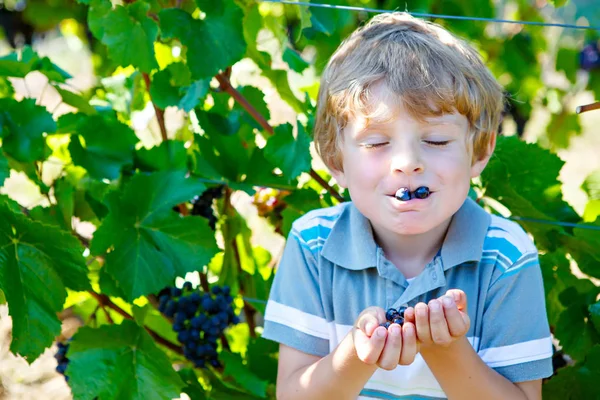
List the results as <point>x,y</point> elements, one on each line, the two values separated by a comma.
<point>431,71</point>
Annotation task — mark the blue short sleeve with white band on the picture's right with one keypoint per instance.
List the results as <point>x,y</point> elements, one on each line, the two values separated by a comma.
<point>515,337</point>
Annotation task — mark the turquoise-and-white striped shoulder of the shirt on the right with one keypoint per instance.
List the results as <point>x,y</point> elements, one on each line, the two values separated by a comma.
<point>507,245</point>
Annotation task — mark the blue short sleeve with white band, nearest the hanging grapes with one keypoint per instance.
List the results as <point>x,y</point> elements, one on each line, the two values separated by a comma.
<point>294,314</point>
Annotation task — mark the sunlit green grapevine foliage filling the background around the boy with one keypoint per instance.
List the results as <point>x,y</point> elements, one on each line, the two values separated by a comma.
<point>139,197</point>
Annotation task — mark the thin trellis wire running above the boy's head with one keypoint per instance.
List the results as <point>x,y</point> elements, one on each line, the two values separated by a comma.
<point>428,15</point>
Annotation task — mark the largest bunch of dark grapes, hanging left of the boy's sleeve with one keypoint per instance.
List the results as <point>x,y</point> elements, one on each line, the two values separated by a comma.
<point>199,319</point>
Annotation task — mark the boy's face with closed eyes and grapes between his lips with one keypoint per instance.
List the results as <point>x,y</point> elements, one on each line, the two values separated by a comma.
<point>382,158</point>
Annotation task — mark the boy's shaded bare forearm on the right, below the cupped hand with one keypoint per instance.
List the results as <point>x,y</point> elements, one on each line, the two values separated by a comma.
<point>473,379</point>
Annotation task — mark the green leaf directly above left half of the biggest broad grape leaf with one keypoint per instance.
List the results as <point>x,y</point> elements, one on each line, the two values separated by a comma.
<point>101,144</point>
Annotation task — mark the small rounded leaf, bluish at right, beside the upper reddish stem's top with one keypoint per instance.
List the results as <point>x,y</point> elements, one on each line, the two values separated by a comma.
<point>173,87</point>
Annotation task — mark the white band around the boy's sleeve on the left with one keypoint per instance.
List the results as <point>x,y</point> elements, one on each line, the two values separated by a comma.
<point>296,319</point>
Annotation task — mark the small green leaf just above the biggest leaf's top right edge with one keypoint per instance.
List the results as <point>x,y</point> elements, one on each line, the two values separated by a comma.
<point>170,154</point>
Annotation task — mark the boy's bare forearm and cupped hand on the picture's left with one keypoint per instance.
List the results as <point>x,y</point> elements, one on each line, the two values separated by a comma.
<point>343,373</point>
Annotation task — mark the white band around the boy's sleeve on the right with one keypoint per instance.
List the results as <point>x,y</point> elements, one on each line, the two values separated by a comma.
<point>519,353</point>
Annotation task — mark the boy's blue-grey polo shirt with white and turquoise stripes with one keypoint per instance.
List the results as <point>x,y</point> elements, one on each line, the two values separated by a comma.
<point>332,269</point>
